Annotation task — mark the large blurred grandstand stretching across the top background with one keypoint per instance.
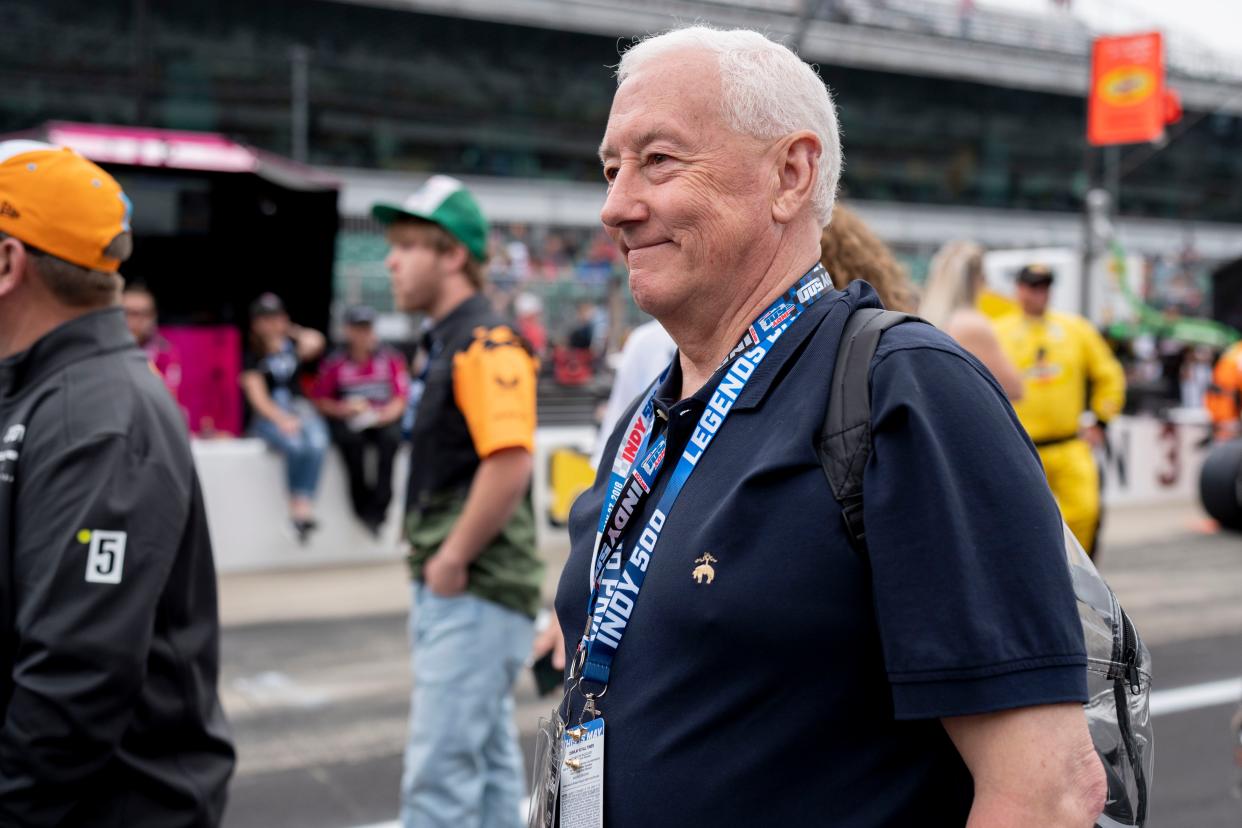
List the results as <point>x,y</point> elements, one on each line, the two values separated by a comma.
<point>956,125</point>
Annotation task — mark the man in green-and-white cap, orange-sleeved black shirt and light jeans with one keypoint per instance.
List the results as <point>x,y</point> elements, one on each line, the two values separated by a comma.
<point>469,518</point>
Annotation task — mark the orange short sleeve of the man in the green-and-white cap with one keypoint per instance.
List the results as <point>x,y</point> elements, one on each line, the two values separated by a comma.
<point>495,389</point>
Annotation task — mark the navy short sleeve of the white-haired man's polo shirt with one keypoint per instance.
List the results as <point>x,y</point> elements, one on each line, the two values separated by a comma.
<point>973,596</point>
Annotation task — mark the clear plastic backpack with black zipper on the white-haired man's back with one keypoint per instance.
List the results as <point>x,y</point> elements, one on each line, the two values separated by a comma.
<point>1120,687</point>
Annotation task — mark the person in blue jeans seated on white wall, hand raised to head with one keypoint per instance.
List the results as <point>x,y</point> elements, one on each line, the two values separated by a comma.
<point>280,353</point>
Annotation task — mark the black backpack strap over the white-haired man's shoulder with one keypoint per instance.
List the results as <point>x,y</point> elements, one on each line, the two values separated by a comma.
<point>845,439</point>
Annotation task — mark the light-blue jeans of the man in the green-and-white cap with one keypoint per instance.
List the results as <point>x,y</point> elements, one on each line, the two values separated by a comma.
<point>463,763</point>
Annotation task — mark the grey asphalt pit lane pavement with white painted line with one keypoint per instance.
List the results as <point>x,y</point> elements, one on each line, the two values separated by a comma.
<point>316,678</point>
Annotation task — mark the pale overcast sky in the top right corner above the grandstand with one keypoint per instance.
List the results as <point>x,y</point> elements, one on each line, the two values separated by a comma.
<point>1217,23</point>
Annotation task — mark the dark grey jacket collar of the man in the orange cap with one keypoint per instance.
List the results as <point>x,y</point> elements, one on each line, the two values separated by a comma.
<point>94,333</point>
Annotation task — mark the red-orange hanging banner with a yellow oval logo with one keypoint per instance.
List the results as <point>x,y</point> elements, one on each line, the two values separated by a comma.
<point>1127,104</point>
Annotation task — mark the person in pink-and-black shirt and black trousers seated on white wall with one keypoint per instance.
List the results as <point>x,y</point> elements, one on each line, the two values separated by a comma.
<point>362,390</point>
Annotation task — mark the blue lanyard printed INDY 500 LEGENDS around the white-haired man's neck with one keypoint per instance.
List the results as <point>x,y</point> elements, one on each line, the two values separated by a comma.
<point>613,599</point>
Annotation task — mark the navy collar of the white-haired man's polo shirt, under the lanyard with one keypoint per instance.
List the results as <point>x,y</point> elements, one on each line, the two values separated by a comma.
<point>834,308</point>
